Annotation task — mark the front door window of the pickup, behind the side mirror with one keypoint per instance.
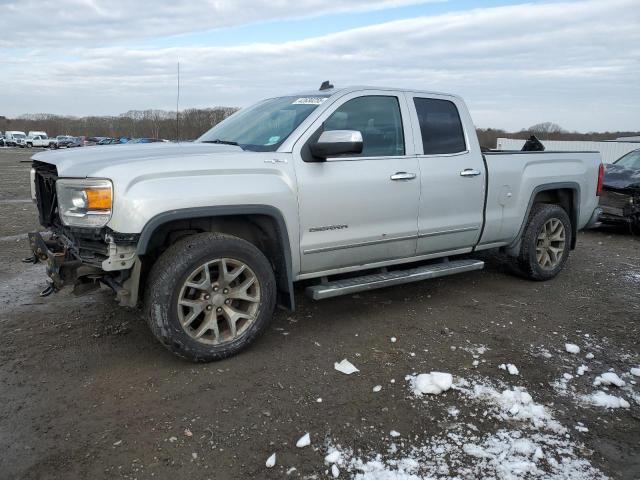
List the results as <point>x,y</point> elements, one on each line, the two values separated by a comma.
<point>377,118</point>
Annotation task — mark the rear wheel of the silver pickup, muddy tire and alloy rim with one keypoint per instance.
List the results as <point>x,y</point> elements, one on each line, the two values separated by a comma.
<point>546,242</point>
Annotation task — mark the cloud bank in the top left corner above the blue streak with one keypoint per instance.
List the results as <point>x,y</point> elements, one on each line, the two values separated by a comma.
<point>32,23</point>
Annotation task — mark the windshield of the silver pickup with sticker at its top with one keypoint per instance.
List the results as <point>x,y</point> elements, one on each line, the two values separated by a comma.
<point>264,126</point>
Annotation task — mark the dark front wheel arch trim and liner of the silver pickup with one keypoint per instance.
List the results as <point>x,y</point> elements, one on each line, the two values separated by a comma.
<point>262,225</point>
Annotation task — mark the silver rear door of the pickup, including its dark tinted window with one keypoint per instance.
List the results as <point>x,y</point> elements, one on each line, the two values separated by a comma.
<point>452,174</point>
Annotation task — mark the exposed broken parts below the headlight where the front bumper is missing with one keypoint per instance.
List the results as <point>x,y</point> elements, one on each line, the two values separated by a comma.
<point>120,271</point>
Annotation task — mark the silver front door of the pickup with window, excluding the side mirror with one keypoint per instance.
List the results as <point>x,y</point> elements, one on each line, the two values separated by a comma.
<point>359,208</point>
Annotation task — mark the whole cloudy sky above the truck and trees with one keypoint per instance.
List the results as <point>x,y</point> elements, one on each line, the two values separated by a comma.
<point>575,63</point>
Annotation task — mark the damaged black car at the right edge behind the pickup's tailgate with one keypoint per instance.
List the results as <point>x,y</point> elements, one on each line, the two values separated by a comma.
<point>620,199</point>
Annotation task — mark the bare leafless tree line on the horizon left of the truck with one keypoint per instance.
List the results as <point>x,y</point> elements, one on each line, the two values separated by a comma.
<point>188,125</point>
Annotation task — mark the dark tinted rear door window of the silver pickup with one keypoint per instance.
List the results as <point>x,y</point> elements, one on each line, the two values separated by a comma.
<point>440,126</point>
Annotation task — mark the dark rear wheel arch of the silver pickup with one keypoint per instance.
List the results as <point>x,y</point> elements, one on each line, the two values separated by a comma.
<point>565,194</point>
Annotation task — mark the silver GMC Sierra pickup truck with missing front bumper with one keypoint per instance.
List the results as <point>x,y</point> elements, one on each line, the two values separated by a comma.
<point>349,189</point>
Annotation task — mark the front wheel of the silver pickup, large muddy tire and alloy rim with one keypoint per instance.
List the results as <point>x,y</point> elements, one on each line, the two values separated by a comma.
<point>209,296</point>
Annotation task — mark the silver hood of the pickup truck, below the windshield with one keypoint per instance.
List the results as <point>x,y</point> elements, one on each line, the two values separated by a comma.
<point>88,161</point>
